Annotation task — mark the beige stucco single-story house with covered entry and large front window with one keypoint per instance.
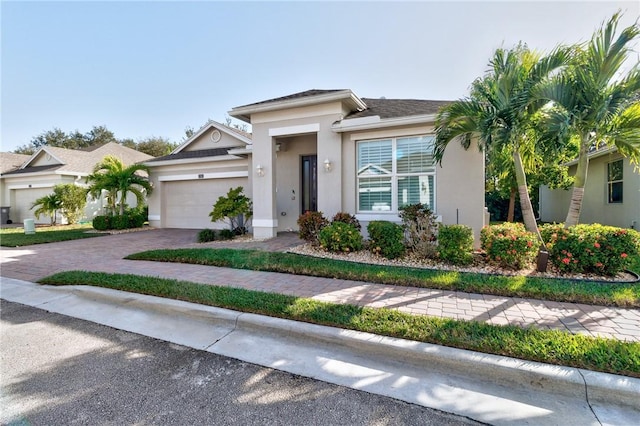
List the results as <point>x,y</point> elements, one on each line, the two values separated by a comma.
<point>324,150</point>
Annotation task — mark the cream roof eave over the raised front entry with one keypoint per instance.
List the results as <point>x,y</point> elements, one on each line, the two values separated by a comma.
<point>244,112</point>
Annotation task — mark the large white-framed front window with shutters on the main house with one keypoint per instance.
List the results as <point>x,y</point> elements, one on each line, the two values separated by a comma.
<point>395,172</point>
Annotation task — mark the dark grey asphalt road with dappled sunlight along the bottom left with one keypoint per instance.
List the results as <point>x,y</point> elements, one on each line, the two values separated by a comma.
<point>58,370</point>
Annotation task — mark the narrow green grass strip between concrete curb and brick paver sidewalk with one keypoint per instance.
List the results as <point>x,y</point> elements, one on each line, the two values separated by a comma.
<point>552,347</point>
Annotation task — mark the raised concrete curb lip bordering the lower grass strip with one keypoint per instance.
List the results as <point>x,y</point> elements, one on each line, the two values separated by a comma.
<point>599,387</point>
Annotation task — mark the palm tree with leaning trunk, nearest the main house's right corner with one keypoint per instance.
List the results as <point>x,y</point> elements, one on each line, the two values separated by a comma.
<point>499,113</point>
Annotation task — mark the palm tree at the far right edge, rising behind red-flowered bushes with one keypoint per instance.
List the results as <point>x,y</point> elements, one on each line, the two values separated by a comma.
<point>596,105</point>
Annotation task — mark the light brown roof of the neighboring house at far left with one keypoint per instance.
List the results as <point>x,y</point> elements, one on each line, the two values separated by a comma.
<point>77,162</point>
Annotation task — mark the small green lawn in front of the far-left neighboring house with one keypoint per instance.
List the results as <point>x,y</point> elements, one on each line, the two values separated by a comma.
<point>15,237</point>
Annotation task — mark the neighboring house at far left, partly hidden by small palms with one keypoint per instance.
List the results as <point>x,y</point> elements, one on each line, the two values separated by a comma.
<point>51,166</point>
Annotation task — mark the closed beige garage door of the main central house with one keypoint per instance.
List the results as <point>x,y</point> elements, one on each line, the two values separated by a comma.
<point>187,204</point>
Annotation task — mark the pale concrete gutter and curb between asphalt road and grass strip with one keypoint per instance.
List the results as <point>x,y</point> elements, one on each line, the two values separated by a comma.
<point>491,389</point>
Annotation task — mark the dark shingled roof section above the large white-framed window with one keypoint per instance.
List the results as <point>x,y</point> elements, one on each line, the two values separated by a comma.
<point>392,108</point>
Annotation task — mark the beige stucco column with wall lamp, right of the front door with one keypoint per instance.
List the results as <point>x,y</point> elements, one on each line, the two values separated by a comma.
<point>329,182</point>
